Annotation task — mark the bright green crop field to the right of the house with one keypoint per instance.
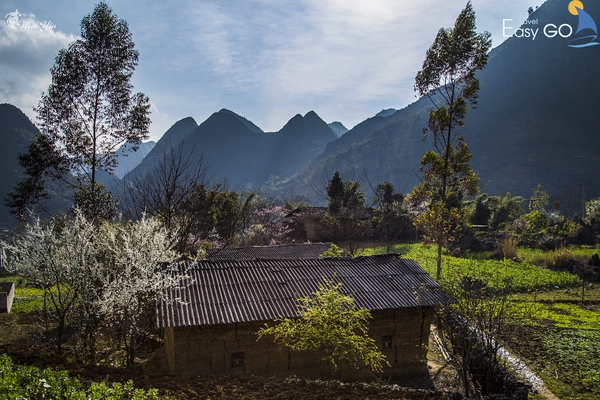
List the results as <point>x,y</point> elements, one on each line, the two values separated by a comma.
<point>559,338</point>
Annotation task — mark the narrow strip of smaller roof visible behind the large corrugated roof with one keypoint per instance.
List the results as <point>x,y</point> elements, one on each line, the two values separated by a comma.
<point>285,251</point>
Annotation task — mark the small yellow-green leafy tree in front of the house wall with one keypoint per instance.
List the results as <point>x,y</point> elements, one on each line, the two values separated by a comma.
<point>330,324</point>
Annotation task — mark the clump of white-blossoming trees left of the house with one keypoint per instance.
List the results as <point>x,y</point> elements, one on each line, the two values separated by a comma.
<point>95,276</point>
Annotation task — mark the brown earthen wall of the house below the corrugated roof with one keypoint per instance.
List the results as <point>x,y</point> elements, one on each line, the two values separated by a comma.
<point>211,350</point>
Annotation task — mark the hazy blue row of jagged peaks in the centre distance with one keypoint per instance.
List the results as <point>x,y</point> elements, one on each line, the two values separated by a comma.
<point>239,152</point>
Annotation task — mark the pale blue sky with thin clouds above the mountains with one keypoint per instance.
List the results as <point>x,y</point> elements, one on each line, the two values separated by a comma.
<point>266,60</point>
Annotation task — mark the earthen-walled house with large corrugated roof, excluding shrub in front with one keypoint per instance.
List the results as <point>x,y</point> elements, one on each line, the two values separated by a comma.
<point>210,321</point>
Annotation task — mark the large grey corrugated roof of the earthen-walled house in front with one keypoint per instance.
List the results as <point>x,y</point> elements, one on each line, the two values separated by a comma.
<point>223,292</point>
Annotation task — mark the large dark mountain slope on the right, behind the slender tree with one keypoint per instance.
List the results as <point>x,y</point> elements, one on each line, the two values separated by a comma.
<point>535,123</point>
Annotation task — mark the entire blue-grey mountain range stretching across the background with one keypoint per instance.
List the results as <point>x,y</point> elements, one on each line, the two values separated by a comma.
<point>535,123</point>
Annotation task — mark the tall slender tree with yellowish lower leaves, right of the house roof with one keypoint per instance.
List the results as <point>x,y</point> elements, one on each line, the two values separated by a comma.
<point>448,80</point>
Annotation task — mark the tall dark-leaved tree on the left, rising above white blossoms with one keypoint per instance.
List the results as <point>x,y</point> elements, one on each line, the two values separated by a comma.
<point>89,110</point>
